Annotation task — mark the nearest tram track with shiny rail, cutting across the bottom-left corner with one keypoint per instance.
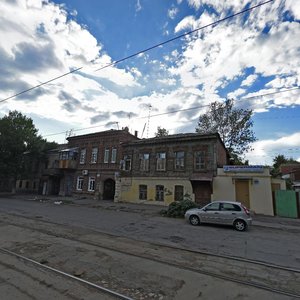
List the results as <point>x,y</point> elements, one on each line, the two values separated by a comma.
<point>35,274</point>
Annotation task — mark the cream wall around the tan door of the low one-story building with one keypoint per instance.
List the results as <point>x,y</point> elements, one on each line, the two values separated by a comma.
<point>260,191</point>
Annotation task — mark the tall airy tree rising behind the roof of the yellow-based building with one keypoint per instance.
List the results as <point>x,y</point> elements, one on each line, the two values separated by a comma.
<point>233,124</point>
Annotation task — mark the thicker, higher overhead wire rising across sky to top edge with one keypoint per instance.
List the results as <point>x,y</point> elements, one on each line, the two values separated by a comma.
<point>140,52</point>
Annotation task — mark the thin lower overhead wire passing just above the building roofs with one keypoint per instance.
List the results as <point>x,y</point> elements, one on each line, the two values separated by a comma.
<point>182,110</point>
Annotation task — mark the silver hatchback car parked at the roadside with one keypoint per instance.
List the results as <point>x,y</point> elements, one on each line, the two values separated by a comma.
<point>221,212</point>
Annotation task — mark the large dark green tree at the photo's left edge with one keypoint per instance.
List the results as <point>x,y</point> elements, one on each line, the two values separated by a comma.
<point>21,148</point>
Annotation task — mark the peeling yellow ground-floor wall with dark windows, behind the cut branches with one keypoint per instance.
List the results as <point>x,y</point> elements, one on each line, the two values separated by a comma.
<point>129,191</point>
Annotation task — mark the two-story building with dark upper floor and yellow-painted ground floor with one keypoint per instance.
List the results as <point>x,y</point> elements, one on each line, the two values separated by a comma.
<point>165,169</point>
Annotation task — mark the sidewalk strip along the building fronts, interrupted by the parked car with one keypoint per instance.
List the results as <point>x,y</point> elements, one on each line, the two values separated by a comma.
<point>275,222</point>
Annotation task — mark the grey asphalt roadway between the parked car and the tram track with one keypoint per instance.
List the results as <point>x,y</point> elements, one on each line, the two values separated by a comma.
<point>280,247</point>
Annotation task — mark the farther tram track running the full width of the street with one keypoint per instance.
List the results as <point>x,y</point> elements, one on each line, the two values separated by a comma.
<point>261,275</point>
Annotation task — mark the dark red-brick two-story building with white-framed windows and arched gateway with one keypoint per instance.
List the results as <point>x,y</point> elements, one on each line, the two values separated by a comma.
<point>91,163</point>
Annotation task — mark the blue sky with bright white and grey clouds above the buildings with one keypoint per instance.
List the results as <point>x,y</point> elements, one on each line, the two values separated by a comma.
<point>170,86</point>
